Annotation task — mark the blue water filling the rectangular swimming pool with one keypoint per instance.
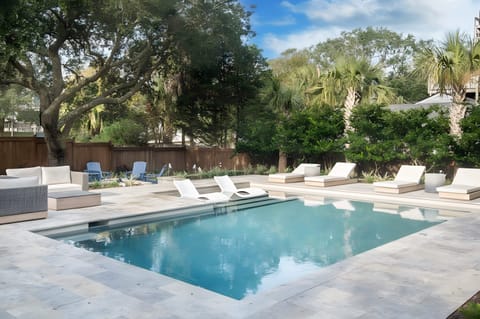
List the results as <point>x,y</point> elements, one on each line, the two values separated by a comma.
<point>252,250</point>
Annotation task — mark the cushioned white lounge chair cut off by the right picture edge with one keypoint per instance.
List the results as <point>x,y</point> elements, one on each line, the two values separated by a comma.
<point>465,185</point>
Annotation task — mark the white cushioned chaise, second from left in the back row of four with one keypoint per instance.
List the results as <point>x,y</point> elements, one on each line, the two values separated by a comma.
<point>338,175</point>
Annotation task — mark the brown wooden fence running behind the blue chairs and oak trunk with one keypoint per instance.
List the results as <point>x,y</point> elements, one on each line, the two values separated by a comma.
<point>31,151</point>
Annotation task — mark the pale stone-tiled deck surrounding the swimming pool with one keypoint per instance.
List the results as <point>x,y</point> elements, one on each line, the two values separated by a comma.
<point>424,275</point>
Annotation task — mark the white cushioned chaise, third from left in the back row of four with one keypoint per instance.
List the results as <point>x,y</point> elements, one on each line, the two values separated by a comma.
<point>407,180</point>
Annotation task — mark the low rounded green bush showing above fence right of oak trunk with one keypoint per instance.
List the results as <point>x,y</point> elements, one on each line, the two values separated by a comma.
<point>124,132</point>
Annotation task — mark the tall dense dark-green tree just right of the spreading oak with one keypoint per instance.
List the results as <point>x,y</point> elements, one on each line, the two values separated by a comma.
<point>222,73</point>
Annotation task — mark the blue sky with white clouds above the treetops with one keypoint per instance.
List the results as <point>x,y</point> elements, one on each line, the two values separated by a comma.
<point>281,25</point>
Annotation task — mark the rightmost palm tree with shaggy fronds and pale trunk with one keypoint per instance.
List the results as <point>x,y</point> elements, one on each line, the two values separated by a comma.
<point>451,65</point>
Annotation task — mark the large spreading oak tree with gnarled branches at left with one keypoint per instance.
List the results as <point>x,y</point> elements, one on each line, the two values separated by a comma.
<point>46,45</point>
